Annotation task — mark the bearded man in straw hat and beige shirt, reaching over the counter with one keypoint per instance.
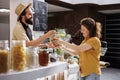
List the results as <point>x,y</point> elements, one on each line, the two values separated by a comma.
<point>22,29</point>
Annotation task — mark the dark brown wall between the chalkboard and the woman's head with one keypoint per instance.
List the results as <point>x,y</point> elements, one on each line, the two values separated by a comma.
<point>68,20</point>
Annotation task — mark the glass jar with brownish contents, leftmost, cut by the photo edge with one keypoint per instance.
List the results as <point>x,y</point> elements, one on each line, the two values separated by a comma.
<point>4,56</point>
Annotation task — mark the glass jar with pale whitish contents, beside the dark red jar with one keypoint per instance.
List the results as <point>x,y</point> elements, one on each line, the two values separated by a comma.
<point>32,57</point>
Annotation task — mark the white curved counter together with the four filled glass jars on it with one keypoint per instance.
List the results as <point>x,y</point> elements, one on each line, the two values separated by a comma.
<point>26,63</point>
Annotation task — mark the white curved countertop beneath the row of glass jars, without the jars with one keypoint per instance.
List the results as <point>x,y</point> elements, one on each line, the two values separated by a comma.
<point>34,73</point>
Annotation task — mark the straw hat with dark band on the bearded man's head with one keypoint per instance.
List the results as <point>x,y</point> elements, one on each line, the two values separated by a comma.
<point>20,8</point>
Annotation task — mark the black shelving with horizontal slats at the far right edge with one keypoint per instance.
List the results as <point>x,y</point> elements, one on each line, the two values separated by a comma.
<point>113,39</point>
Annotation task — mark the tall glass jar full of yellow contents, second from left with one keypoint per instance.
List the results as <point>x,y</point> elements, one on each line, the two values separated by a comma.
<point>18,55</point>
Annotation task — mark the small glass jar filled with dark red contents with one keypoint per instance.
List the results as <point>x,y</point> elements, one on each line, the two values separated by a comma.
<point>43,58</point>
